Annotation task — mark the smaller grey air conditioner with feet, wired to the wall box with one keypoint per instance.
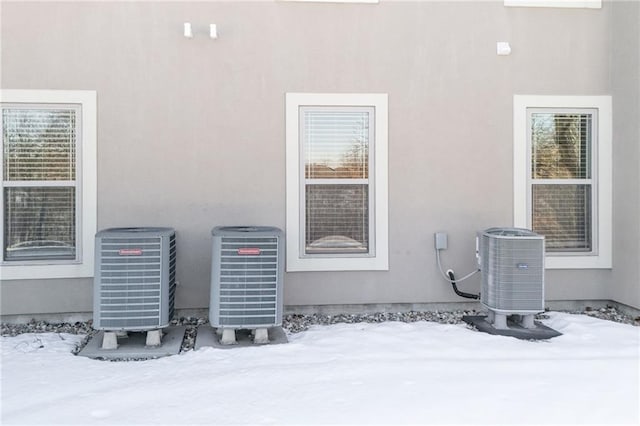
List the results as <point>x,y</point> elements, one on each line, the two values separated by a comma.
<point>512,265</point>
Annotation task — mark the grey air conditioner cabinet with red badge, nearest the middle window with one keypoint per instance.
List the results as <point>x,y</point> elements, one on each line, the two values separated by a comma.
<point>246,277</point>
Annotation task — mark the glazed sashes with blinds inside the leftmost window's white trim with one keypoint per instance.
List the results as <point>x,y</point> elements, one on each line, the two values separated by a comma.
<point>39,180</point>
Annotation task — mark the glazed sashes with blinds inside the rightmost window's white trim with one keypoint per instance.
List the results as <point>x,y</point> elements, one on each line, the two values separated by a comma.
<point>561,173</point>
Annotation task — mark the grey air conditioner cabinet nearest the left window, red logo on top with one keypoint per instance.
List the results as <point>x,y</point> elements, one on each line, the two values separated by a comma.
<point>135,279</point>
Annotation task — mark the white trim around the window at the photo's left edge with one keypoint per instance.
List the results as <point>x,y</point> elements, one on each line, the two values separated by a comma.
<point>88,184</point>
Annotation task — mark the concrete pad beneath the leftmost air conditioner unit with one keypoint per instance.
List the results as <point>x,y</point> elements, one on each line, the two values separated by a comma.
<point>133,345</point>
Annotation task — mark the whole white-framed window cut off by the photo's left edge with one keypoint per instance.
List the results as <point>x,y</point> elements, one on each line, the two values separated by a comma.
<point>48,184</point>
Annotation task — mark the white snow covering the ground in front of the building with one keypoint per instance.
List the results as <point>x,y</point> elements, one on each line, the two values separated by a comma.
<point>388,373</point>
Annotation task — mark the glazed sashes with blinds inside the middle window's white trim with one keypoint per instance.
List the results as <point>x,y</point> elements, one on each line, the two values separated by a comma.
<point>336,170</point>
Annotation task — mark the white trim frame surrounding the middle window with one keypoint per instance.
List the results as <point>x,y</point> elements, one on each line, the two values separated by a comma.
<point>295,260</point>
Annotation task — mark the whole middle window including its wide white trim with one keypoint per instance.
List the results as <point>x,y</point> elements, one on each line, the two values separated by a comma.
<point>337,182</point>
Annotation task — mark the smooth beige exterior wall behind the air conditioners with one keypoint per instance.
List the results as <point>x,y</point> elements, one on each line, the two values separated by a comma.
<point>191,131</point>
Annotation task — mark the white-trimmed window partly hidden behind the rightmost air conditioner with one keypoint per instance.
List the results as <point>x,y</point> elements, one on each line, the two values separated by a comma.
<point>562,176</point>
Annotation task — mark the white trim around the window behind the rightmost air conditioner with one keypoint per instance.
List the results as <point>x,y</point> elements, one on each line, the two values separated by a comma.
<point>602,257</point>
